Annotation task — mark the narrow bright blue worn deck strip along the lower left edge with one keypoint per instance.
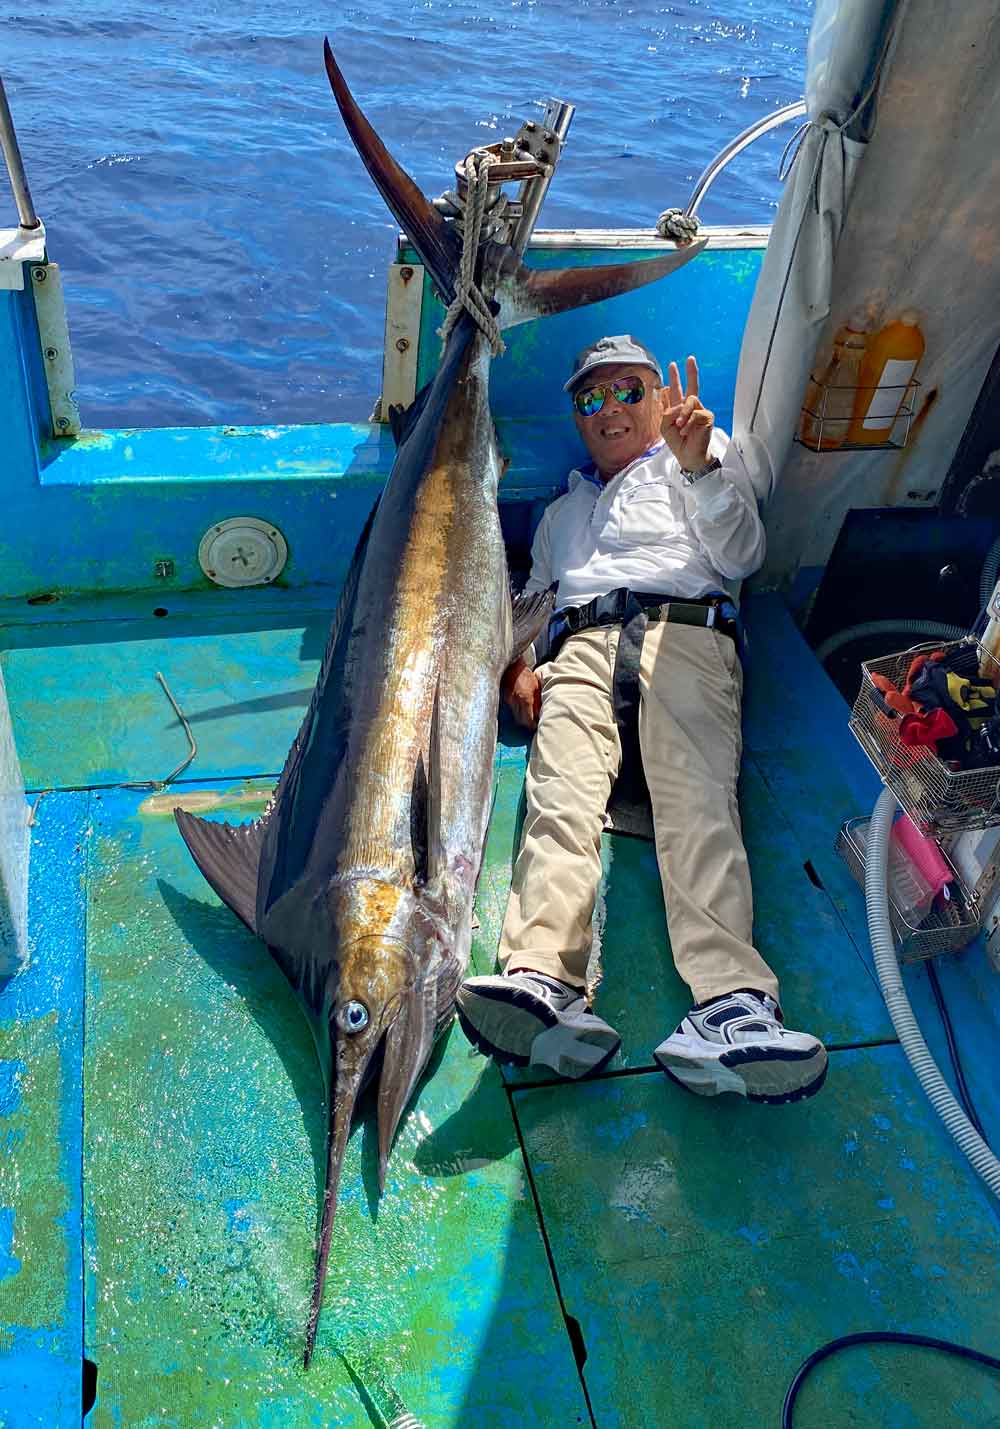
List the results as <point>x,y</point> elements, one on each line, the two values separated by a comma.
<point>41,1135</point>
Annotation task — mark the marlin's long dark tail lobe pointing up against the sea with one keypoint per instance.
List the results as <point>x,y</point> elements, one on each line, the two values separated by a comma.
<point>439,249</point>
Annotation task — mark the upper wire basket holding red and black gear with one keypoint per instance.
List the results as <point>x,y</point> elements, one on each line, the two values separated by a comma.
<point>934,795</point>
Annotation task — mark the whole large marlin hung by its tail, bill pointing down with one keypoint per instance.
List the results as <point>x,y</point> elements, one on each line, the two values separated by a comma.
<point>361,877</point>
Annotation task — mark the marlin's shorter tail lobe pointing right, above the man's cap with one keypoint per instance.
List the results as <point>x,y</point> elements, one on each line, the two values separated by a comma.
<point>528,294</point>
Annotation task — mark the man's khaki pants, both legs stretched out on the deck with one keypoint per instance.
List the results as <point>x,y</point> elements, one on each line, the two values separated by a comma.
<point>689,730</point>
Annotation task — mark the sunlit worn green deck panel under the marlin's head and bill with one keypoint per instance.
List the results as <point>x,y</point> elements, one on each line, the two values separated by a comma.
<point>204,1167</point>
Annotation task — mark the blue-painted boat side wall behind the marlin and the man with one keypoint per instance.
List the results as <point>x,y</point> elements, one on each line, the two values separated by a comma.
<point>102,514</point>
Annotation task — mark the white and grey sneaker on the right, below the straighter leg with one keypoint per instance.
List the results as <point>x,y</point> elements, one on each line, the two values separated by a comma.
<point>738,1044</point>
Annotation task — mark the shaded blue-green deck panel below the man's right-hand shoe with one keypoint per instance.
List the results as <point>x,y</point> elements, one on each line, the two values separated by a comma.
<point>708,1248</point>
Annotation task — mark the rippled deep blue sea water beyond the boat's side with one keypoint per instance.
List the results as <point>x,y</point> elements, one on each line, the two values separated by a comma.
<point>225,251</point>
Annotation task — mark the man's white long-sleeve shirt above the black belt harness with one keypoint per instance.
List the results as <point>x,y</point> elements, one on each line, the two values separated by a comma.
<point>645,529</point>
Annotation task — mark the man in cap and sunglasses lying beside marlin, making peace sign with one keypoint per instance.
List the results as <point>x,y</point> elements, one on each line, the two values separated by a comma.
<point>665,509</point>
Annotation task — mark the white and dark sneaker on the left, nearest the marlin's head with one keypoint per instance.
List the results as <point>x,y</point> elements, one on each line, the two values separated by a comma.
<point>531,1020</point>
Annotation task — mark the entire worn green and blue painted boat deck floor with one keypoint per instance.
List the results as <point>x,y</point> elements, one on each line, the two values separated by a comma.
<point>614,1253</point>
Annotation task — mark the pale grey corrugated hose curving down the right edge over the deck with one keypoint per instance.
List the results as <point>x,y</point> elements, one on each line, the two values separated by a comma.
<point>881,931</point>
